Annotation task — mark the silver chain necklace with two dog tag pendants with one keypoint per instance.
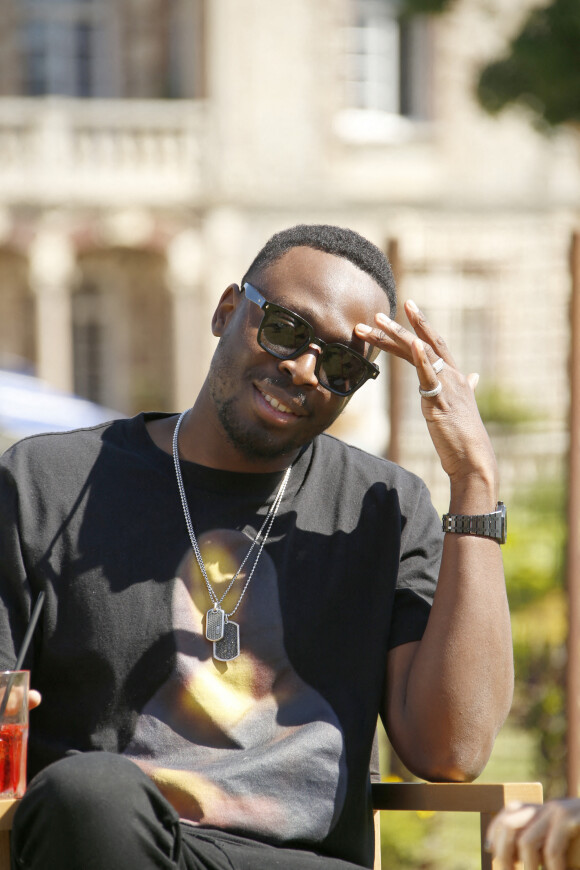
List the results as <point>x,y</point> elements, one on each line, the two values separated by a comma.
<point>219,629</point>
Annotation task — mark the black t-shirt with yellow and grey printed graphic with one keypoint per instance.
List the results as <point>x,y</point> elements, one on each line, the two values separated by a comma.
<point>276,743</point>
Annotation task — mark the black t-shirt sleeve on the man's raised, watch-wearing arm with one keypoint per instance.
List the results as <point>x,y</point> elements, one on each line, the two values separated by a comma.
<point>420,558</point>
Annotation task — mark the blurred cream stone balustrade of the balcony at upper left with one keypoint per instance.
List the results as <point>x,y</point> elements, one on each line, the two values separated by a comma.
<point>101,152</point>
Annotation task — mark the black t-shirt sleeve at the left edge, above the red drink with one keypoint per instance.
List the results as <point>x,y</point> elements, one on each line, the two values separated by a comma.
<point>14,587</point>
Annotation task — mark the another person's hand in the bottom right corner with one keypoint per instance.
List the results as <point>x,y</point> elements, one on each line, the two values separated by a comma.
<point>537,835</point>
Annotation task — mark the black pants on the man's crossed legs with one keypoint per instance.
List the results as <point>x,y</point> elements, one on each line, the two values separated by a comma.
<point>99,811</point>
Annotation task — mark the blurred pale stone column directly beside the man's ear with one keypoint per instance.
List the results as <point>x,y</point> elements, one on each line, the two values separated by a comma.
<point>190,325</point>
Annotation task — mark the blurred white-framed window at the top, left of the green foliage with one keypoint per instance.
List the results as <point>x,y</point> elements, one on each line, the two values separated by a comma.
<point>386,60</point>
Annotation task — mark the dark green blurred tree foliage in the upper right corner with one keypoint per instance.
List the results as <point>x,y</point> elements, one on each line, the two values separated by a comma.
<point>541,68</point>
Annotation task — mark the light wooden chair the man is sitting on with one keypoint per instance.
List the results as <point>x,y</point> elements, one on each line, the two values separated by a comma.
<point>485,799</point>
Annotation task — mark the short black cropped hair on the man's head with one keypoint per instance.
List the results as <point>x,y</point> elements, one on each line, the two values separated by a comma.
<point>340,241</point>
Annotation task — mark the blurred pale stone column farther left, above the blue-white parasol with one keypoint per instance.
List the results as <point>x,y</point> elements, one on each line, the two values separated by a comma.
<point>52,265</point>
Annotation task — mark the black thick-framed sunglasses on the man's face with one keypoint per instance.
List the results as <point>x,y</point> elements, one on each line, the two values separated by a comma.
<point>286,335</point>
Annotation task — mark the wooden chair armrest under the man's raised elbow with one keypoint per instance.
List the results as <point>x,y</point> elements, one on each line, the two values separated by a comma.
<point>453,796</point>
